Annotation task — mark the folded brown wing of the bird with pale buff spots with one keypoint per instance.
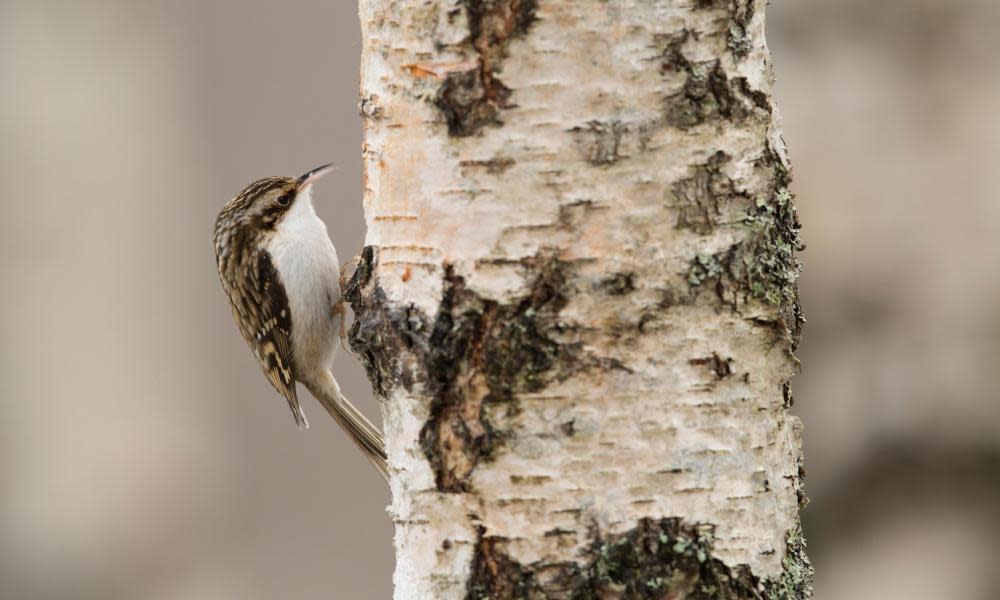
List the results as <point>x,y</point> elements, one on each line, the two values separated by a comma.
<point>272,338</point>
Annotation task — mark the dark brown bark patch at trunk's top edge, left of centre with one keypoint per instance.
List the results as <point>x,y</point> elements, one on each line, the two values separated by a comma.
<point>471,100</point>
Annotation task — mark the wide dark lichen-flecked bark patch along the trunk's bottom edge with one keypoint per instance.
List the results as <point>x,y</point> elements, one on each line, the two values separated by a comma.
<point>658,559</point>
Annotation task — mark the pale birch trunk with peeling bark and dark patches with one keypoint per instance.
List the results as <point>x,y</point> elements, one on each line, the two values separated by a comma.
<point>578,301</point>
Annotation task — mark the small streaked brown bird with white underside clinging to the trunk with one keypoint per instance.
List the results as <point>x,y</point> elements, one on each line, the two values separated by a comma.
<point>280,272</point>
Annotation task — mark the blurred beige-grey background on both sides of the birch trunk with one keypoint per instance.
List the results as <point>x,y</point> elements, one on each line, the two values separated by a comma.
<point>142,455</point>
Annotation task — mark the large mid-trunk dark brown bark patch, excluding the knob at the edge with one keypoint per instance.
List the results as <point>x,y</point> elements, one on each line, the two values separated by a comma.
<point>485,352</point>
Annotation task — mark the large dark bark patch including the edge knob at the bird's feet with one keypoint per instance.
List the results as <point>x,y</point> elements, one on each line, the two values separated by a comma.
<point>474,352</point>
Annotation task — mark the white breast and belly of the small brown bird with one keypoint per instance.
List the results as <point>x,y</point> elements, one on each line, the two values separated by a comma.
<point>307,263</point>
